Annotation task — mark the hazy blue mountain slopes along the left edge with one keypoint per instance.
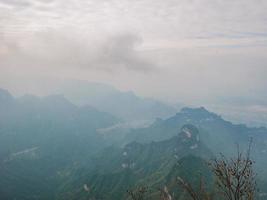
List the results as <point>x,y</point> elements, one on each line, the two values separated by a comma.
<point>42,137</point>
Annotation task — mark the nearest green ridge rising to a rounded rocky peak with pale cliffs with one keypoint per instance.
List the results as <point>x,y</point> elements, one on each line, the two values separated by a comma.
<point>118,169</point>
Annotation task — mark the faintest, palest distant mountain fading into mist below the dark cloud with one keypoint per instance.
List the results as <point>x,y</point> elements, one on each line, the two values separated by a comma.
<point>124,105</point>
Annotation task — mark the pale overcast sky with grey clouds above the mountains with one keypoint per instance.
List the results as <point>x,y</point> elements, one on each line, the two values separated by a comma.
<point>174,50</point>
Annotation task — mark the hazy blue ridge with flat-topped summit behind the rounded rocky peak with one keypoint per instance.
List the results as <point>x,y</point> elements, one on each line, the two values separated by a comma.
<point>219,135</point>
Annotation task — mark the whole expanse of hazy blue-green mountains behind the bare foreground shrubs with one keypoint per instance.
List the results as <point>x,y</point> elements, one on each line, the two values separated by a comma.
<point>51,149</point>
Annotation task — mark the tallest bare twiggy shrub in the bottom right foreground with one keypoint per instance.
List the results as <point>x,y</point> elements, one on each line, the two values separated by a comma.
<point>235,177</point>
